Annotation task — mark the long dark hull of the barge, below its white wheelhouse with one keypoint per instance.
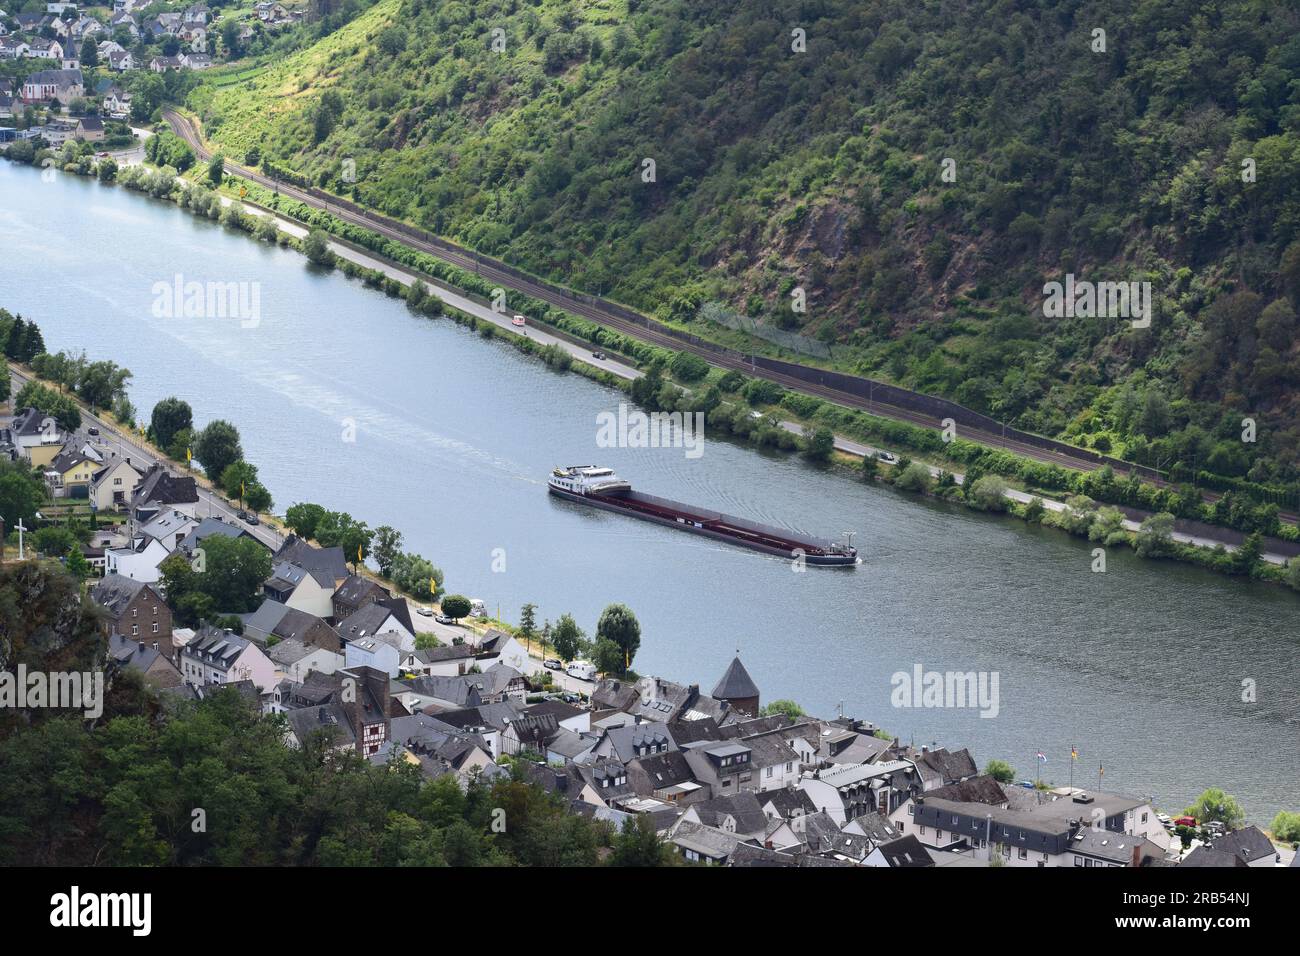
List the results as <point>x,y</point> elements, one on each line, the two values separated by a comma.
<point>716,525</point>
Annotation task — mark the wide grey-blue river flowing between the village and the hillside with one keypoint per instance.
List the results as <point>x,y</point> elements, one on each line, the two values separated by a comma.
<point>1142,669</point>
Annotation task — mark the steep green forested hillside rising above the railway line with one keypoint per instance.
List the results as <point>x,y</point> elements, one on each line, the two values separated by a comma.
<point>1171,157</point>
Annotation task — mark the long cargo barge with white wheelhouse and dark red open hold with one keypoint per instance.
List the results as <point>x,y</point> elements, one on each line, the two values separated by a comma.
<point>600,487</point>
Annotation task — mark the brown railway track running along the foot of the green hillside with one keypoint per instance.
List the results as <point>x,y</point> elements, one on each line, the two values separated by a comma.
<point>469,261</point>
